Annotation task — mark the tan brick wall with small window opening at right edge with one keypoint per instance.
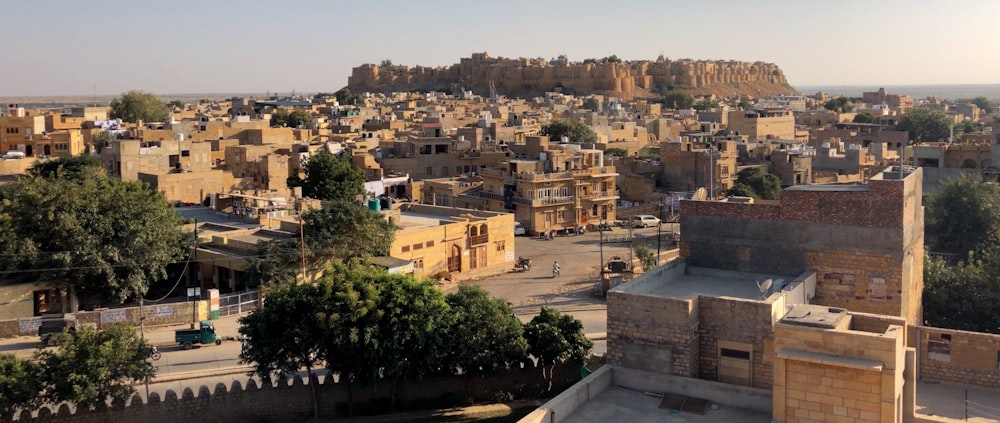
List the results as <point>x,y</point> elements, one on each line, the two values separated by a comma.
<point>967,357</point>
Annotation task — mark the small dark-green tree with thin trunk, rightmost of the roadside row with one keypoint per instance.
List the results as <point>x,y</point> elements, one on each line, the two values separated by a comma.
<point>555,338</point>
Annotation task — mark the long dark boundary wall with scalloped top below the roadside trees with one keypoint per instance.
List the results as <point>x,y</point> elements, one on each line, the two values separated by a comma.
<point>292,401</point>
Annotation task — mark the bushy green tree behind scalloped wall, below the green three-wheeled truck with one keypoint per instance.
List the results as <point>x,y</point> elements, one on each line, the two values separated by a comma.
<point>89,367</point>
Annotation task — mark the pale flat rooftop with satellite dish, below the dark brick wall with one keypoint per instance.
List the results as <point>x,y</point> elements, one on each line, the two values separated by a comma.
<point>698,281</point>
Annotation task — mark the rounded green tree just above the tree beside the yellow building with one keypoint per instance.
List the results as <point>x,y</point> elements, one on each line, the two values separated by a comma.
<point>329,178</point>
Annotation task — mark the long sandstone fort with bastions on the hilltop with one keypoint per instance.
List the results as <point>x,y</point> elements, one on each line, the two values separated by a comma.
<point>525,77</point>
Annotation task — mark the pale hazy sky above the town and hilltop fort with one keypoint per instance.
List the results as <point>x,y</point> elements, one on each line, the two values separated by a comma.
<point>212,46</point>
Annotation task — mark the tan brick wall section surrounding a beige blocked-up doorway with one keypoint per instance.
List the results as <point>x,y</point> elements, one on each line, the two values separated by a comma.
<point>741,321</point>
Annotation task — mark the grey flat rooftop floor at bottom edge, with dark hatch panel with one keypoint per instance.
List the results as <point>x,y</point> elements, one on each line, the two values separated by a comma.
<point>618,404</point>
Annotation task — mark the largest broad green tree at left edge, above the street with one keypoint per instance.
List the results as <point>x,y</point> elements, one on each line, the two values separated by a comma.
<point>97,237</point>
